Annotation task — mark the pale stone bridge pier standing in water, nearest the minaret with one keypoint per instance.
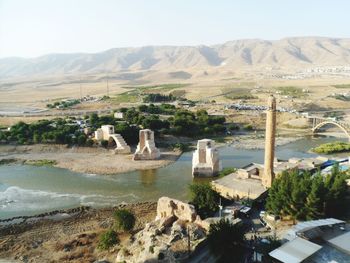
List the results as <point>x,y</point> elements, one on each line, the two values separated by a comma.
<point>205,161</point>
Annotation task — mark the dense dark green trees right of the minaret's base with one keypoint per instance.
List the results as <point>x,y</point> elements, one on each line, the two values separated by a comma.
<point>305,197</point>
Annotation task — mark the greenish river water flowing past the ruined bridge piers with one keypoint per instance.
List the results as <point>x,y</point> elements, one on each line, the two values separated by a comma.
<point>28,190</point>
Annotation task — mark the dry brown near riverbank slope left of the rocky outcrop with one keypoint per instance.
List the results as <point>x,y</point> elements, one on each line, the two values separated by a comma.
<point>65,235</point>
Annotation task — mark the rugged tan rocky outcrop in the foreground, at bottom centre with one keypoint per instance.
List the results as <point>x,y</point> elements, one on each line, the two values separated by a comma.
<point>168,237</point>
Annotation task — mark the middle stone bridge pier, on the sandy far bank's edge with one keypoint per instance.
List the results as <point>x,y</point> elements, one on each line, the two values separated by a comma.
<point>146,148</point>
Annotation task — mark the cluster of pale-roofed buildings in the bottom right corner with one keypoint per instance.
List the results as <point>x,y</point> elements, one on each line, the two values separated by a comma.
<point>323,240</point>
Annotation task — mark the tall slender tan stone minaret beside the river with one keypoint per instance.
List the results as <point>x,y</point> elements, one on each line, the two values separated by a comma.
<point>268,175</point>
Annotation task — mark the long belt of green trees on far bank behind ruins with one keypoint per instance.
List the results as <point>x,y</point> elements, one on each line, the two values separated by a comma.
<point>178,122</point>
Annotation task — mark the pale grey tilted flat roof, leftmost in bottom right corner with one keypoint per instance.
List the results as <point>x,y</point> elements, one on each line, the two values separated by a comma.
<point>295,251</point>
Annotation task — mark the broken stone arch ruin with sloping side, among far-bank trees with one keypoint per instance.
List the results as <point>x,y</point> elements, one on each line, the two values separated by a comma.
<point>106,132</point>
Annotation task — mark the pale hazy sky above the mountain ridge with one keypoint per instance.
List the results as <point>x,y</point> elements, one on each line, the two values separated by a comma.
<point>31,28</point>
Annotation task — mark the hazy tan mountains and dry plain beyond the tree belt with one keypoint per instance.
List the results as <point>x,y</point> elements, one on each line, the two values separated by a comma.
<point>317,68</point>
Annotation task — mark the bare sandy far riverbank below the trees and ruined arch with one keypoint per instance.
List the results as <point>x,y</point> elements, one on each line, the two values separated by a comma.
<point>84,159</point>
